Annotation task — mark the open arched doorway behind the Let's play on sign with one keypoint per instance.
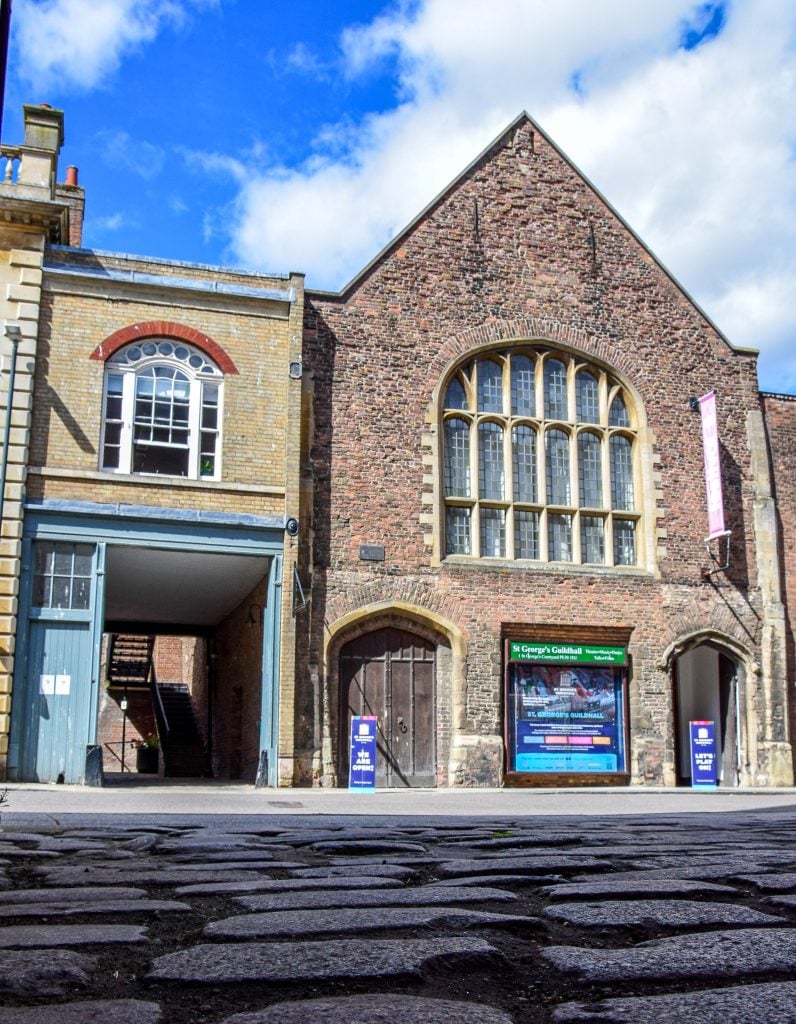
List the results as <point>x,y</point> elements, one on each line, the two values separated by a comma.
<point>706,689</point>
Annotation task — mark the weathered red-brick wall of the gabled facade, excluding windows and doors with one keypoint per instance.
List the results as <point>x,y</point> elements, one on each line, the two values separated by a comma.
<point>521,248</point>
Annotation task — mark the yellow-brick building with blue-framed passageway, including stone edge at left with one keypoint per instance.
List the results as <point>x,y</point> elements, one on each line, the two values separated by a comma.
<point>151,477</point>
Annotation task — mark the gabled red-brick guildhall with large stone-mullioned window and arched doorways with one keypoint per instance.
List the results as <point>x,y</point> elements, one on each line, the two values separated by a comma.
<point>509,518</point>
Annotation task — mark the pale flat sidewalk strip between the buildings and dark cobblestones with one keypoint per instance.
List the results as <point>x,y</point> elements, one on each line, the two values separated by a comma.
<point>208,798</point>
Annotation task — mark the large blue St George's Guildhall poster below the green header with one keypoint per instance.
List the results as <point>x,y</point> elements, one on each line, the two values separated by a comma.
<point>566,719</point>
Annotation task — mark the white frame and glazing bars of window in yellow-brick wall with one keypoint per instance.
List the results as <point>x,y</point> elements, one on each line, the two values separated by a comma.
<point>119,366</point>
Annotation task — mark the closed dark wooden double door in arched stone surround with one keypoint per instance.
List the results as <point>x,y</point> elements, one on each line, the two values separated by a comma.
<point>391,674</point>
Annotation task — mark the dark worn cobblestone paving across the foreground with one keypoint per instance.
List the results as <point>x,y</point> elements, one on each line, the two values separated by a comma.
<point>291,921</point>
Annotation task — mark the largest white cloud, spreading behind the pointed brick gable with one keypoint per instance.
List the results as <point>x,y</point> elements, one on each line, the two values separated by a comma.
<point>696,149</point>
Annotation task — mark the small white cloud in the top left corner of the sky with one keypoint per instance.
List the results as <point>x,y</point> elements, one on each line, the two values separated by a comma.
<point>81,42</point>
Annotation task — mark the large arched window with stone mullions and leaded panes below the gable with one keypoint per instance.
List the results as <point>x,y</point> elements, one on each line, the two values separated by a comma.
<point>539,460</point>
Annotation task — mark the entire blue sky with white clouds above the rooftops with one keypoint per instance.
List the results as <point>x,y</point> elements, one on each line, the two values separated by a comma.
<point>304,138</point>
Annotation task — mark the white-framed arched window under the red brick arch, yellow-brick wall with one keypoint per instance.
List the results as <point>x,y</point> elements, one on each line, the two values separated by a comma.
<point>162,411</point>
